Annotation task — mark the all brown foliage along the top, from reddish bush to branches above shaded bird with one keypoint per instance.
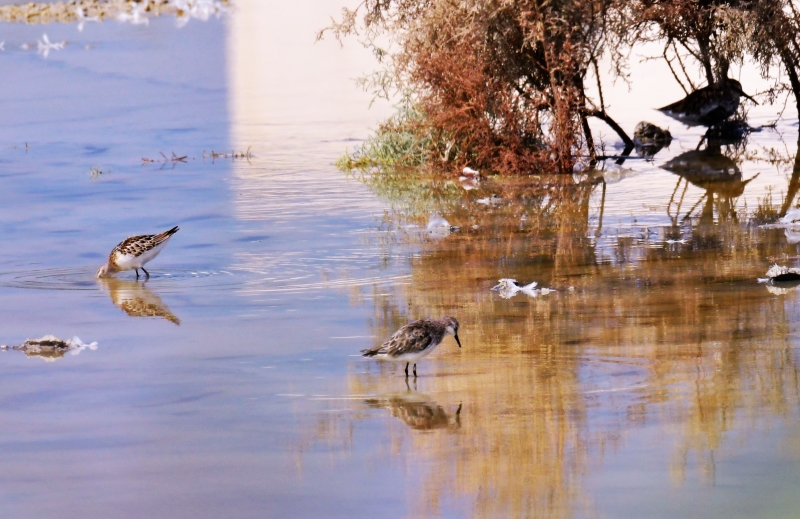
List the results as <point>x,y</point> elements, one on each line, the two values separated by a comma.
<point>500,83</point>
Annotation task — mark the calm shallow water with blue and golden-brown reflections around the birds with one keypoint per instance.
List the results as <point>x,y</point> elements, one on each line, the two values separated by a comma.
<point>659,380</point>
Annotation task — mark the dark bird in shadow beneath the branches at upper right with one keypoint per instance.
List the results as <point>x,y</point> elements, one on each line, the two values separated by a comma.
<point>709,105</point>
